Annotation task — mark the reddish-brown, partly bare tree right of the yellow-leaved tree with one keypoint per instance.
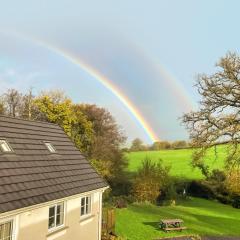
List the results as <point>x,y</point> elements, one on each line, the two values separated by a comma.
<point>105,151</point>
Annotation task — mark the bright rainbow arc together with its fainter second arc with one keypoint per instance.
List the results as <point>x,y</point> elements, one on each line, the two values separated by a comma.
<point>76,60</point>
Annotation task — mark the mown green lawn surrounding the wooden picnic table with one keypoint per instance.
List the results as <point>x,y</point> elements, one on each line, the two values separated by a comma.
<point>202,217</point>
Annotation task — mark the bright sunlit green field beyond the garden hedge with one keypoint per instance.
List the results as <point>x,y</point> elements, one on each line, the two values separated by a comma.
<point>179,160</point>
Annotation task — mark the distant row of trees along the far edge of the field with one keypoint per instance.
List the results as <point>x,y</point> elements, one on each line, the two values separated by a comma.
<point>138,145</point>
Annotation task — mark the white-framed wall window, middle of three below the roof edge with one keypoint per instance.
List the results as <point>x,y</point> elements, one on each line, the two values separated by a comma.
<point>56,216</point>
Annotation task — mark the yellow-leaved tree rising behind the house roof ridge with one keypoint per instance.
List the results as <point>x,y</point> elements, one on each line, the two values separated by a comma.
<point>55,107</point>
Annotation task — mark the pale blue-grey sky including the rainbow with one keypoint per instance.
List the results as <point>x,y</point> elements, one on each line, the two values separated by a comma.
<point>138,59</point>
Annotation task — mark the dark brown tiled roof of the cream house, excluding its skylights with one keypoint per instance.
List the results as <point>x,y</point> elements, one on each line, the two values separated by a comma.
<point>31,174</point>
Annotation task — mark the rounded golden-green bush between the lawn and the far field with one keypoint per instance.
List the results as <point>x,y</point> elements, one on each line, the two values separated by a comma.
<point>150,179</point>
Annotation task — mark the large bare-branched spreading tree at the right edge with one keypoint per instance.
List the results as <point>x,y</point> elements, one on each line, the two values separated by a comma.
<point>218,118</point>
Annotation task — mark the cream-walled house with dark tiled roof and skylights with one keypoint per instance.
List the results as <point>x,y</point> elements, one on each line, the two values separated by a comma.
<point>48,190</point>
